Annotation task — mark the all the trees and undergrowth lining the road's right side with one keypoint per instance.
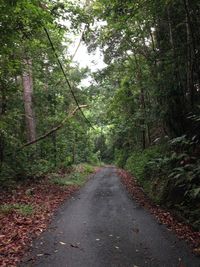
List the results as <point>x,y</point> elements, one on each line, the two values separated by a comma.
<point>151,84</point>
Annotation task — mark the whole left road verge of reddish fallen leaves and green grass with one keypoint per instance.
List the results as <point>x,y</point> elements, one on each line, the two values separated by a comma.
<point>26,209</point>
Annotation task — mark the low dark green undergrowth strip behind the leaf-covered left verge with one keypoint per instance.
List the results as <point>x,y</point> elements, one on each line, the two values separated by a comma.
<point>25,167</point>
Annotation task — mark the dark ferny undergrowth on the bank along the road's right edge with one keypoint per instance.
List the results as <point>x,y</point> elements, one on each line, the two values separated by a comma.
<point>169,173</point>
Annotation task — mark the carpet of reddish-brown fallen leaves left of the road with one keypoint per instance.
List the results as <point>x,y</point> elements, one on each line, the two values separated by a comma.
<point>17,229</point>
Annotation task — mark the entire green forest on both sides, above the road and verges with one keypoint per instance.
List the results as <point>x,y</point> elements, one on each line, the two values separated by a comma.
<point>140,112</point>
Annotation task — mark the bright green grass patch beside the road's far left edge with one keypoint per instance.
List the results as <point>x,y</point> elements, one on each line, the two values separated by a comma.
<point>77,177</point>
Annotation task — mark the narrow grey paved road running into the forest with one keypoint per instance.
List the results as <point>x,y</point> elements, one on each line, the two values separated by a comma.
<point>102,227</point>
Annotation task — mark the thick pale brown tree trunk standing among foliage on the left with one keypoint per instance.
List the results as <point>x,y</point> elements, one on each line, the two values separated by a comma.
<point>27,80</point>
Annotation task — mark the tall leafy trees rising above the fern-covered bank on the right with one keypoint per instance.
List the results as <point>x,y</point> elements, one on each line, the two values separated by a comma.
<point>149,49</point>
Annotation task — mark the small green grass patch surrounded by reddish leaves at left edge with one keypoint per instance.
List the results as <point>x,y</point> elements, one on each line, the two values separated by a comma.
<point>23,209</point>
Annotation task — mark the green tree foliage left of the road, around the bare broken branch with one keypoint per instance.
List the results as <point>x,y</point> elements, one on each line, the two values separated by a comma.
<point>22,36</point>
